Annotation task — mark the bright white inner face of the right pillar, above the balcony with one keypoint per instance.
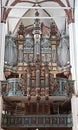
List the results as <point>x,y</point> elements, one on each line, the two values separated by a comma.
<point>72,52</point>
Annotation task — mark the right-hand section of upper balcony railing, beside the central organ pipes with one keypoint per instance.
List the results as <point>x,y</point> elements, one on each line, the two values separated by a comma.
<point>61,87</point>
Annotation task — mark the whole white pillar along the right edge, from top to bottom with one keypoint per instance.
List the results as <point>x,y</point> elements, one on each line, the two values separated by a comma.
<point>74,58</point>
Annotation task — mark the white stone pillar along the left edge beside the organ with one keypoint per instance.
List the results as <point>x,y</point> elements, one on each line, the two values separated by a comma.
<point>2,50</point>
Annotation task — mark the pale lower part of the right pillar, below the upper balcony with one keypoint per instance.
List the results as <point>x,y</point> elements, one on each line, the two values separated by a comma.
<point>74,105</point>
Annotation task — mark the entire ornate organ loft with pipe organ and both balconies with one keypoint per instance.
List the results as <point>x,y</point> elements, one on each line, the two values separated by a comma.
<point>38,83</point>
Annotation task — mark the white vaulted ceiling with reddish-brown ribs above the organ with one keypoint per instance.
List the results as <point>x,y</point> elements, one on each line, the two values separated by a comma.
<point>16,11</point>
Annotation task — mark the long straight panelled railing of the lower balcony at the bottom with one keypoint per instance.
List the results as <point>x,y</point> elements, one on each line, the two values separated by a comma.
<point>37,121</point>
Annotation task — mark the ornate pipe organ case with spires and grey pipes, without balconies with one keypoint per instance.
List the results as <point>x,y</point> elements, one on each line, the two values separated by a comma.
<point>35,58</point>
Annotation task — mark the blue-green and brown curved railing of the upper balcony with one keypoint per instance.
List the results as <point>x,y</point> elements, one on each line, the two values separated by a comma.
<point>57,87</point>
